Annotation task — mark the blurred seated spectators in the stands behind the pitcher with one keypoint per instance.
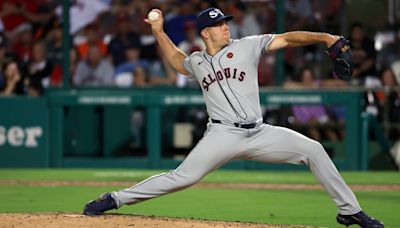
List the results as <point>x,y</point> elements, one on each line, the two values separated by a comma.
<point>111,46</point>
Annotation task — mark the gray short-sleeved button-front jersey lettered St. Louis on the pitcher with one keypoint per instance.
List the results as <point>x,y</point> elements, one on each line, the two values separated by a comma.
<point>229,79</point>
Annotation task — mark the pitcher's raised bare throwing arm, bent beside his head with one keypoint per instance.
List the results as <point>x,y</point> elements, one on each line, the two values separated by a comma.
<point>173,54</point>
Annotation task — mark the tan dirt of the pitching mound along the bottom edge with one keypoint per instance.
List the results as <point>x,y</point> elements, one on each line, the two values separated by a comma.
<point>77,220</point>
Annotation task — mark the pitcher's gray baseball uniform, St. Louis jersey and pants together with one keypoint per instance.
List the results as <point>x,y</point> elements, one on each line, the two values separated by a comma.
<point>235,131</point>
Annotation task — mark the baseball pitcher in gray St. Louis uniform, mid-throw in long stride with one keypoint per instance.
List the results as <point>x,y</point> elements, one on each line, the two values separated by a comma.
<point>227,74</point>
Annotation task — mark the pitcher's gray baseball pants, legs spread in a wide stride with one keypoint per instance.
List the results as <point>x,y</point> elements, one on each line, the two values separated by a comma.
<point>265,143</point>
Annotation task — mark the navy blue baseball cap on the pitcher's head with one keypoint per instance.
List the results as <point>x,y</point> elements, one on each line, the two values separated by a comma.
<point>210,17</point>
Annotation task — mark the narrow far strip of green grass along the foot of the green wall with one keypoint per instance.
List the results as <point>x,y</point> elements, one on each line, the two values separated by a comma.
<point>221,176</point>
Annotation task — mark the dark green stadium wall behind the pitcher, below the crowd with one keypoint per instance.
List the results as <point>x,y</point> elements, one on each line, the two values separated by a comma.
<point>87,128</point>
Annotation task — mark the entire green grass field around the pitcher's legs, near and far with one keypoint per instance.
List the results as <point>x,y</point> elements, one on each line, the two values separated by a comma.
<point>301,207</point>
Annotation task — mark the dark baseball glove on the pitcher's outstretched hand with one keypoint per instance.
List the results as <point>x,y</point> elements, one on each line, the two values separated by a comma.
<point>342,60</point>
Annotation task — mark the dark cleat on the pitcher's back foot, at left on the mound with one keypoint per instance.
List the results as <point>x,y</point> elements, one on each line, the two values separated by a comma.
<point>98,206</point>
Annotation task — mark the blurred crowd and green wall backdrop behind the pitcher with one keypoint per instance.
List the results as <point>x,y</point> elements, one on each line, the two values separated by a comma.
<point>83,83</point>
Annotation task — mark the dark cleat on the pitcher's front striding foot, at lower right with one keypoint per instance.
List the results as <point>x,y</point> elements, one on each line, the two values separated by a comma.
<point>361,219</point>
